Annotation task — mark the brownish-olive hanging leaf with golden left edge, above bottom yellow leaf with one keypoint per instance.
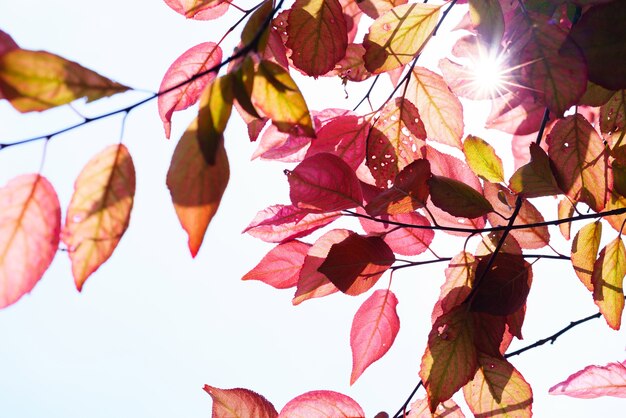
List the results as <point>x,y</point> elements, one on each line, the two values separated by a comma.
<point>450,360</point>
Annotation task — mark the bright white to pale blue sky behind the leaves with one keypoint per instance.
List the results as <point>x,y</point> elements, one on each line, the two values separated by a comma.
<point>152,326</point>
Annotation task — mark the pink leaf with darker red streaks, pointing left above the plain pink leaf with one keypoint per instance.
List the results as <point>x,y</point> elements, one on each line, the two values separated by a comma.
<point>280,223</point>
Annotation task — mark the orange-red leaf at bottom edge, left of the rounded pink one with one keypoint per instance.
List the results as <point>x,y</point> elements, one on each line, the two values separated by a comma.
<point>239,403</point>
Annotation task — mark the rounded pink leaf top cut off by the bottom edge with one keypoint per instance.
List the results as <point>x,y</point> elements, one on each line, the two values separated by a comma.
<point>322,404</point>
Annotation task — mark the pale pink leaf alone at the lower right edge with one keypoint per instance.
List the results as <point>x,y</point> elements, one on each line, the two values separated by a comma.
<point>594,381</point>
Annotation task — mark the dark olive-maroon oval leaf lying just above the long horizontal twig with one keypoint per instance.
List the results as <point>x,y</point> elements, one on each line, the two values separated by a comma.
<point>457,198</point>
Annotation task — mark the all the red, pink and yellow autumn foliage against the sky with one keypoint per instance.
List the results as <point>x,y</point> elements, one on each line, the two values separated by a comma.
<point>561,87</point>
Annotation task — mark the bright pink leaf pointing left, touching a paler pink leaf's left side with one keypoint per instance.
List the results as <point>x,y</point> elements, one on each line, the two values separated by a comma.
<point>281,266</point>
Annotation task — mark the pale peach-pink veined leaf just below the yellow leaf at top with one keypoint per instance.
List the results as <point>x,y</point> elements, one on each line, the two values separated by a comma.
<point>441,110</point>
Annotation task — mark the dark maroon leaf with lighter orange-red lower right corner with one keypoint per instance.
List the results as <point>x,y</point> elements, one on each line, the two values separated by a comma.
<point>355,264</point>
